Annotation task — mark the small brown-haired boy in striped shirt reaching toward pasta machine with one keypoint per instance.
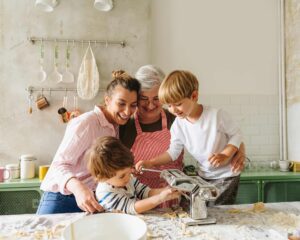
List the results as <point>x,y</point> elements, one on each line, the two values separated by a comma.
<point>111,163</point>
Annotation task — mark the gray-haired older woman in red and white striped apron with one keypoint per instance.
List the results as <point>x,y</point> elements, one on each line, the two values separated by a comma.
<point>147,133</point>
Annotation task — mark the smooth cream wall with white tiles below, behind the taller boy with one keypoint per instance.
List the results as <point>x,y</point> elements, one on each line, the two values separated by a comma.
<point>232,47</point>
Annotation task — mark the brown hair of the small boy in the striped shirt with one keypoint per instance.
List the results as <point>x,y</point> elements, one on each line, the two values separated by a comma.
<point>106,156</point>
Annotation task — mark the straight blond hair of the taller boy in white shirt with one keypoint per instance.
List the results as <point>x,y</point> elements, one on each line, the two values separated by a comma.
<point>176,86</point>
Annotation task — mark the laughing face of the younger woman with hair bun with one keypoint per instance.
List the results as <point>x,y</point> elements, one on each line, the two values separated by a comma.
<point>120,105</point>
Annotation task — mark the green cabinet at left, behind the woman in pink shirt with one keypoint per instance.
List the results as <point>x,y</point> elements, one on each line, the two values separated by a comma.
<point>19,196</point>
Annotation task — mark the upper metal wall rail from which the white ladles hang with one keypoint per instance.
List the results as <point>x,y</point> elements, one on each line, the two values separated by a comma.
<point>106,43</point>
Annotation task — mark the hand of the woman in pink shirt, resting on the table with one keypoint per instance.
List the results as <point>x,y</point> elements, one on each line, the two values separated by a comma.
<point>85,198</point>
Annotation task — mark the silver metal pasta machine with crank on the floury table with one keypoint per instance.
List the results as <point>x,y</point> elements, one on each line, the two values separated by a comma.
<point>196,193</point>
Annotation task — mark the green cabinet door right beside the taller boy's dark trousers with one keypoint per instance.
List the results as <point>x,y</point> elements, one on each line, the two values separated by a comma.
<point>249,192</point>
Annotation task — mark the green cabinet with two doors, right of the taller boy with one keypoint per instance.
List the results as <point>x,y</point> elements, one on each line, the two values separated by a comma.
<point>269,186</point>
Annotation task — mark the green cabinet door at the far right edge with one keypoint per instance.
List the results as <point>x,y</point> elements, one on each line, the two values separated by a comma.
<point>281,190</point>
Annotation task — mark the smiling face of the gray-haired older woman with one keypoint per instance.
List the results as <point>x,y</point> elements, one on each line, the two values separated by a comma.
<point>149,107</point>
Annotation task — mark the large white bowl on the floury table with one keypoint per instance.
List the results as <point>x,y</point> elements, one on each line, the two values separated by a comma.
<point>107,226</point>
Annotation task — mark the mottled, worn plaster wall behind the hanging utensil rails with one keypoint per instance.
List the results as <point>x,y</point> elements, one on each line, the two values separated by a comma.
<point>41,132</point>
